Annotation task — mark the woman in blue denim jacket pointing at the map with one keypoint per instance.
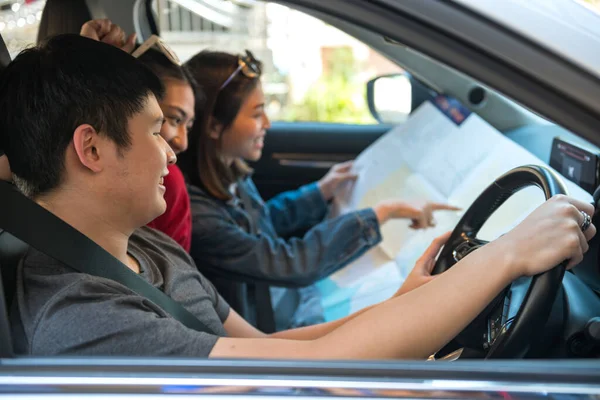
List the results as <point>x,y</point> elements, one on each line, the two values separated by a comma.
<point>236,231</point>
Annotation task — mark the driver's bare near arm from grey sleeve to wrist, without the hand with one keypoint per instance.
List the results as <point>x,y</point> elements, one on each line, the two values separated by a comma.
<point>411,326</point>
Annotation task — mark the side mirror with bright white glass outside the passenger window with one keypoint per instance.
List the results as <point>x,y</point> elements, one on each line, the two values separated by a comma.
<point>391,98</point>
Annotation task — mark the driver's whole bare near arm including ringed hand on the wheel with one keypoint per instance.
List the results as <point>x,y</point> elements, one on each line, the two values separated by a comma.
<point>420,322</point>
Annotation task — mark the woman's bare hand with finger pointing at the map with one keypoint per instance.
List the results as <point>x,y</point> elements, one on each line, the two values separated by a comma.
<point>421,215</point>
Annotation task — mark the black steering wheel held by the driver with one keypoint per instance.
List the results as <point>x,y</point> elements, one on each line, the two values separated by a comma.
<point>492,333</point>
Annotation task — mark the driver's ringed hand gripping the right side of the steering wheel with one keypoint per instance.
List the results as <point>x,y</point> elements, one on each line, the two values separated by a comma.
<point>548,236</point>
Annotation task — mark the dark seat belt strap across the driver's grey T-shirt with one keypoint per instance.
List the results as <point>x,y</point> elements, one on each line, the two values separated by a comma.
<point>44,231</point>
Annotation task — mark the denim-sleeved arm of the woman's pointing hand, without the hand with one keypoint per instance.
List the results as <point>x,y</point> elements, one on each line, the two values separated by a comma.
<point>221,244</point>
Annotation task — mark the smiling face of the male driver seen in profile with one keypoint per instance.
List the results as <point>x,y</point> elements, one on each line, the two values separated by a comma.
<point>134,178</point>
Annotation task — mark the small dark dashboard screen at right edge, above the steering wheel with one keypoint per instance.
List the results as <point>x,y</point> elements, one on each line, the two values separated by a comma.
<point>575,164</point>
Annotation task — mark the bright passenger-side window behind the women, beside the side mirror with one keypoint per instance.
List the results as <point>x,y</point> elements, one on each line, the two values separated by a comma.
<point>312,71</point>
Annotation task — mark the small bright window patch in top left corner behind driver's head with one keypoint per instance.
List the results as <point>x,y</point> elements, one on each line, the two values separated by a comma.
<point>19,23</point>
